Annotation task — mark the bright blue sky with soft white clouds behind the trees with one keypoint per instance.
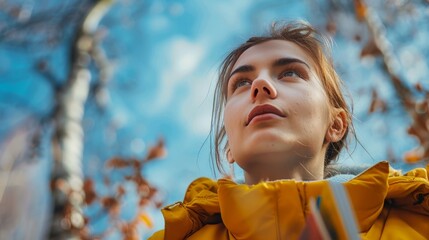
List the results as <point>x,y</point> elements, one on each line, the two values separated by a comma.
<point>164,57</point>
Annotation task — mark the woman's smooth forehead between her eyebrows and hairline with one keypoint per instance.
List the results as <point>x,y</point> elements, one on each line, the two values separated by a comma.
<point>272,50</point>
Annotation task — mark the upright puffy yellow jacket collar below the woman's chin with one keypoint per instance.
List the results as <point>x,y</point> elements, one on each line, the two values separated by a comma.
<point>279,207</point>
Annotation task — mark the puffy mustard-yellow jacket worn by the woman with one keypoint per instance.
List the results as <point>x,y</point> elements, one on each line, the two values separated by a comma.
<point>388,205</point>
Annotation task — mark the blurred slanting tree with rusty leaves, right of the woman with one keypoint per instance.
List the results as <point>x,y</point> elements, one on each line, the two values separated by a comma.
<point>413,99</point>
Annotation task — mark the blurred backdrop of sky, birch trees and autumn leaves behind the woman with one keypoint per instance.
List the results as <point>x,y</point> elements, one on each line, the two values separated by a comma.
<point>105,105</point>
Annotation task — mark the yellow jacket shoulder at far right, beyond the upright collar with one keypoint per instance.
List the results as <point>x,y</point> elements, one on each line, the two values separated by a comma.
<point>406,211</point>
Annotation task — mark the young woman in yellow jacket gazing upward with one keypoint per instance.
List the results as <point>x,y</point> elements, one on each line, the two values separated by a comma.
<point>280,115</point>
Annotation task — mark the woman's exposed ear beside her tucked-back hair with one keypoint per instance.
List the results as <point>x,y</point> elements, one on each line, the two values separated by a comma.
<point>338,126</point>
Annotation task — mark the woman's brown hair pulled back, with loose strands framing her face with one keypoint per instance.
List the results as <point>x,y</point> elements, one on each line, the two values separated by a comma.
<point>313,43</point>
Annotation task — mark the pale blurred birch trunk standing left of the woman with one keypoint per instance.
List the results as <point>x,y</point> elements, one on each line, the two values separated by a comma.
<point>67,141</point>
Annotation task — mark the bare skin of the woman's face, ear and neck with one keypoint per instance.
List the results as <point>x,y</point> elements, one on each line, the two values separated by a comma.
<point>291,143</point>
